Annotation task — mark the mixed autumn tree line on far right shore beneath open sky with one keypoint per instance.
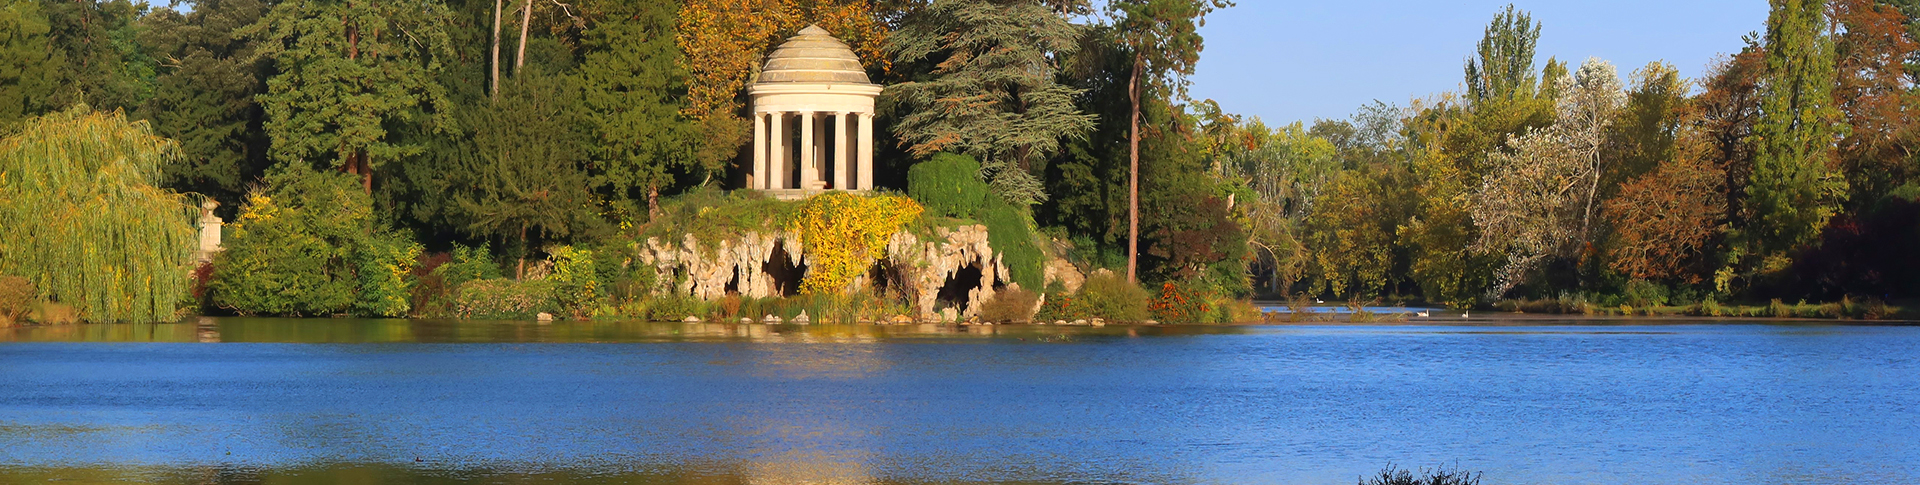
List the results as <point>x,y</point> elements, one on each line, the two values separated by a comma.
<point>1787,172</point>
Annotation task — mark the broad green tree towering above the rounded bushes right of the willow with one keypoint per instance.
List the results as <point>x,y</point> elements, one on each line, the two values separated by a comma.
<point>352,72</point>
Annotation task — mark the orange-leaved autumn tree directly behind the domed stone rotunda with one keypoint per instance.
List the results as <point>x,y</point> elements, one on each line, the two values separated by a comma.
<point>727,41</point>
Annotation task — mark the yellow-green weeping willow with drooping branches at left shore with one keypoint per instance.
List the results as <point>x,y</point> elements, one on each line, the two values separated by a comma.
<point>85,223</point>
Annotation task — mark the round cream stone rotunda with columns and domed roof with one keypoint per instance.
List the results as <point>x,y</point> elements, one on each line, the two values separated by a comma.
<point>813,120</point>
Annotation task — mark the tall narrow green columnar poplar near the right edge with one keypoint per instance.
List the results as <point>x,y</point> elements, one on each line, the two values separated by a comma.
<point>1794,189</point>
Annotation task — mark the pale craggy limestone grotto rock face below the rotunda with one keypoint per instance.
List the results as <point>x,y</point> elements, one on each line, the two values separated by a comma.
<point>917,267</point>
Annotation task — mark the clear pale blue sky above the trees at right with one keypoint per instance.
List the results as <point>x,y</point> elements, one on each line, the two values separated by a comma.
<point>1285,60</point>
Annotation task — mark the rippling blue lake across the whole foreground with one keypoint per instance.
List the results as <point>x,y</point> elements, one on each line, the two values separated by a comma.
<point>429,402</point>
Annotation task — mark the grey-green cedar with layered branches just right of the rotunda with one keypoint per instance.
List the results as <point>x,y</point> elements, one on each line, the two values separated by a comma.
<point>994,93</point>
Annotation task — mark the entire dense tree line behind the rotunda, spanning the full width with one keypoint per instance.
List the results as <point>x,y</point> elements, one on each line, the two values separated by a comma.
<point>1787,172</point>
